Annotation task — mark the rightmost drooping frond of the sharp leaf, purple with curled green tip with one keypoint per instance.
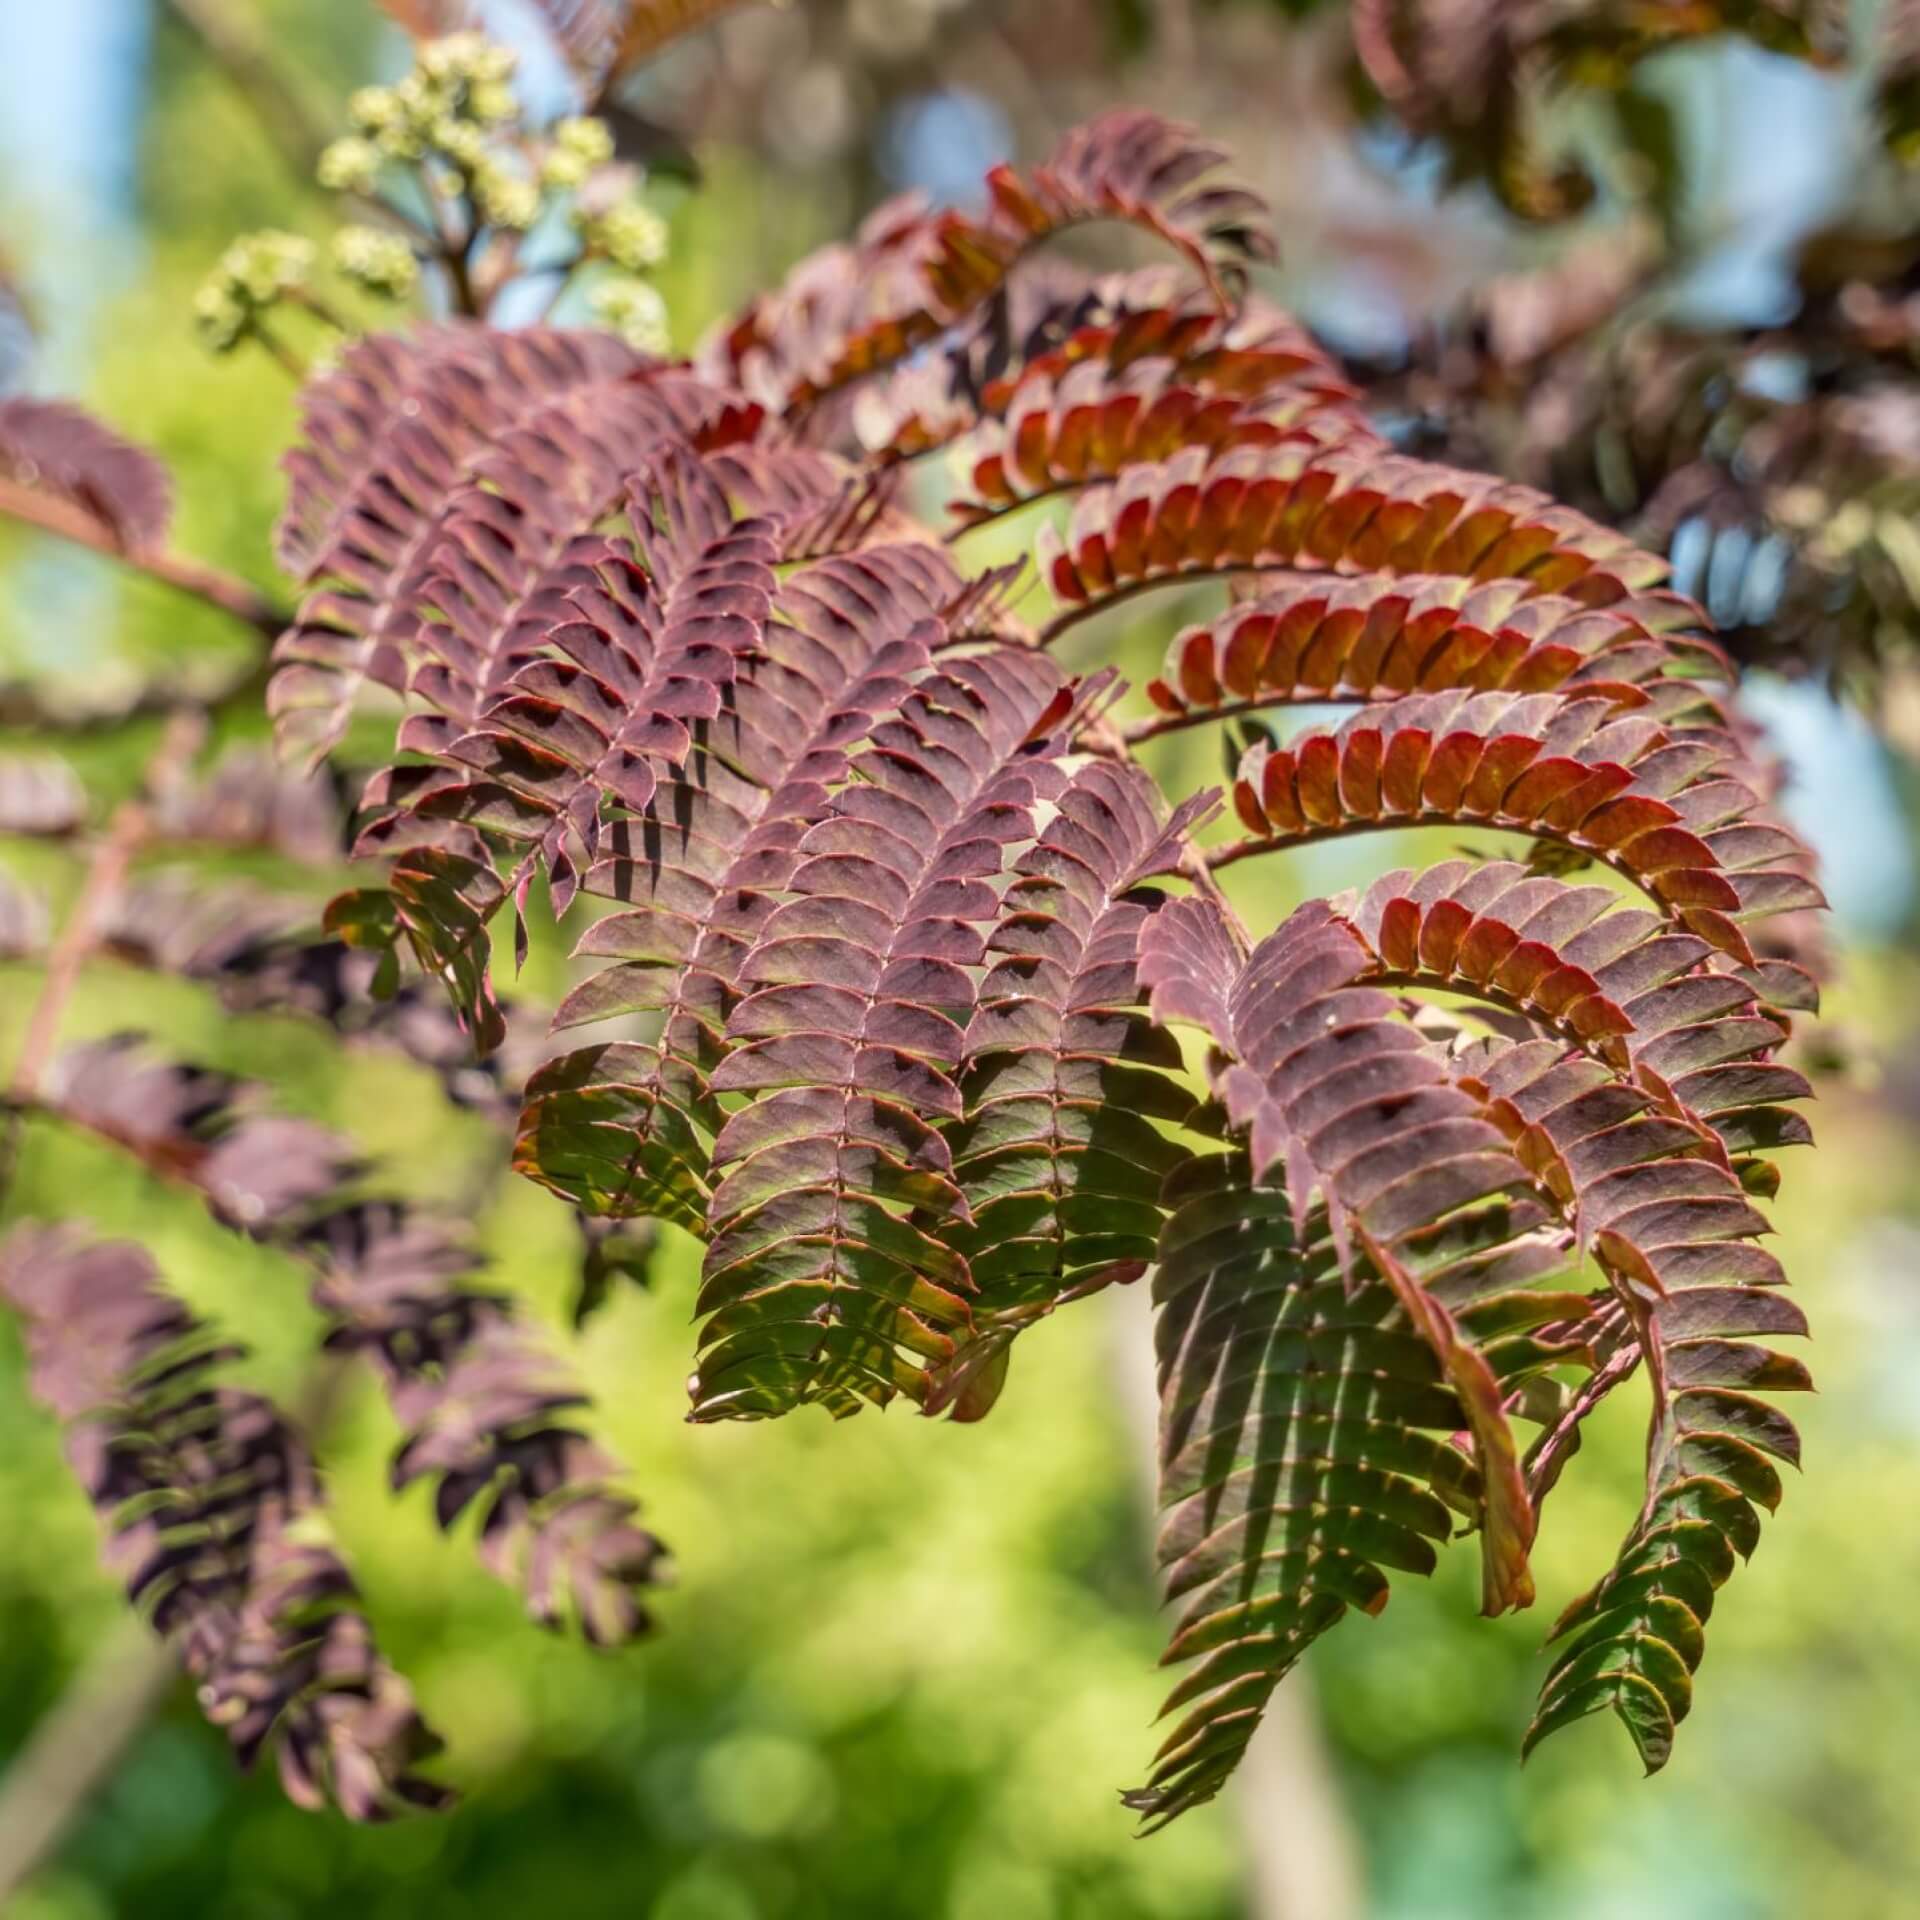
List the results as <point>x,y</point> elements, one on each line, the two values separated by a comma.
<point>1679,1234</point>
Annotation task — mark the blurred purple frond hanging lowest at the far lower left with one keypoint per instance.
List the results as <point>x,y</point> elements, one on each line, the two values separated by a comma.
<point>216,1522</point>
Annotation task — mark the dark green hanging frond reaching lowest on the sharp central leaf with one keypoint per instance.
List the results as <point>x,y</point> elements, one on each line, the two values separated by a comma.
<point>1305,1452</point>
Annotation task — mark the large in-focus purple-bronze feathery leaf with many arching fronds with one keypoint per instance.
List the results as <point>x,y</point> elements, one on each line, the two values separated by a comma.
<point>884,1003</point>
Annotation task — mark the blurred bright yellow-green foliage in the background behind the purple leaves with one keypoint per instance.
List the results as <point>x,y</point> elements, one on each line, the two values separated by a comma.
<point>905,1664</point>
